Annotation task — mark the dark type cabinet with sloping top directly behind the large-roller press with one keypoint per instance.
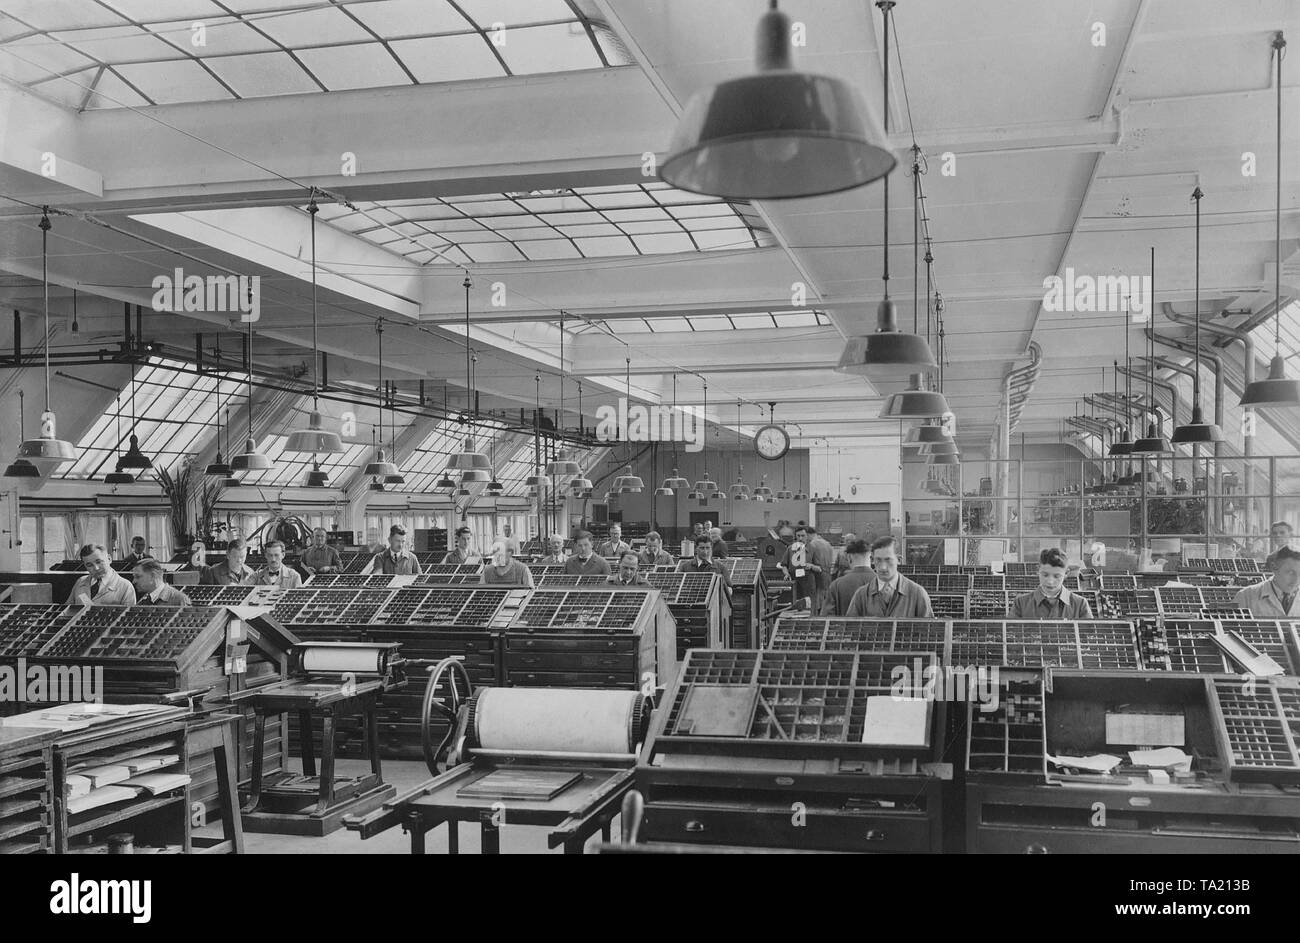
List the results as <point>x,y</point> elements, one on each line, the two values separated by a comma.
<point>599,638</point>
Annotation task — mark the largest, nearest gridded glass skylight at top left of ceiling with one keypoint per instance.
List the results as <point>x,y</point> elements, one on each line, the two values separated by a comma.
<point>341,41</point>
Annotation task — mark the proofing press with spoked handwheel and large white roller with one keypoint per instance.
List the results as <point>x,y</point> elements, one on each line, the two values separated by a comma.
<point>556,758</point>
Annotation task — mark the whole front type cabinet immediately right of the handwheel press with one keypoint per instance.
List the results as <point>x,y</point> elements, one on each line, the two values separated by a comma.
<point>746,734</point>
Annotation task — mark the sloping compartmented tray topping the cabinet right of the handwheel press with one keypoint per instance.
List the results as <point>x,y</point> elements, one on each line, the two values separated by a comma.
<point>785,697</point>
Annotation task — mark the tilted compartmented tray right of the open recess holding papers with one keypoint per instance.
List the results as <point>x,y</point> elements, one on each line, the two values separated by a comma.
<point>1260,729</point>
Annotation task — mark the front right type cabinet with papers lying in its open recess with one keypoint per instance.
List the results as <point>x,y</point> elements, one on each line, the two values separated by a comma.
<point>1019,803</point>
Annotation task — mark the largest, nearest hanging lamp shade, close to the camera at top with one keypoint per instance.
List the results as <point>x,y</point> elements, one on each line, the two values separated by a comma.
<point>777,135</point>
